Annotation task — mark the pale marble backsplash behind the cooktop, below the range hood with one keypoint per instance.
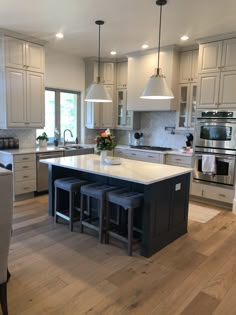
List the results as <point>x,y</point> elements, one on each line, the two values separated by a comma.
<point>153,127</point>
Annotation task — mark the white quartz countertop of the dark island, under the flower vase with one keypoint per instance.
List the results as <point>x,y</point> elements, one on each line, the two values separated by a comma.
<point>130,170</point>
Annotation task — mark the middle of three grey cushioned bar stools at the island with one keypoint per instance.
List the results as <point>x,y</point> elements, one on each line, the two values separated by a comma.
<point>97,191</point>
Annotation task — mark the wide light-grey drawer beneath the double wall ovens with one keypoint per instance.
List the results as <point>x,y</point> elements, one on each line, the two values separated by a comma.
<point>212,192</point>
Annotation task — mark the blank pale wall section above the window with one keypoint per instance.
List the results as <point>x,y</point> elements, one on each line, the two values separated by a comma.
<point>64,71</point>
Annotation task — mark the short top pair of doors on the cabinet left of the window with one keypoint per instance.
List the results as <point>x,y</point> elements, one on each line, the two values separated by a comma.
<point>20,54</point>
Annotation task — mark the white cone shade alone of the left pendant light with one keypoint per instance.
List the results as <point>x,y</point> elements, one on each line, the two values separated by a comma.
<point>98,93</point>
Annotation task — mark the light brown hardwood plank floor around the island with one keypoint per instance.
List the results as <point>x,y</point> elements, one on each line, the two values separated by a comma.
<point>58,272</point>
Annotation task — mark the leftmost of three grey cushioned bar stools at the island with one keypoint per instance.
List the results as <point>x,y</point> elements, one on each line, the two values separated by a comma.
<point>72,185</point>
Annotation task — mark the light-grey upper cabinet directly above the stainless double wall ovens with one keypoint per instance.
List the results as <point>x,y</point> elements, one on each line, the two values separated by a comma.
<point>217,79</point>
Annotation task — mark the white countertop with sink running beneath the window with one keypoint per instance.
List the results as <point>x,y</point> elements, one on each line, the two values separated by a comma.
<point>42,150</point>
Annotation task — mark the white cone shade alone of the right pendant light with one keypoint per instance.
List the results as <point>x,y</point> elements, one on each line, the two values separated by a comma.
<point>157,88</point>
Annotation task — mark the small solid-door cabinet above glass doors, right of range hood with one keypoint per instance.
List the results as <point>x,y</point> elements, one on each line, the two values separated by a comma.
<point>188,66</point>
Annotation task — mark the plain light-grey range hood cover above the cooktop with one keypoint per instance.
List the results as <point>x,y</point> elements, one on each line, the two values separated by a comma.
<point>141,68</point>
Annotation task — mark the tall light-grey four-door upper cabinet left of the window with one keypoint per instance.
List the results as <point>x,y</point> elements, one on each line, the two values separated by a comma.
<point>21,84</point>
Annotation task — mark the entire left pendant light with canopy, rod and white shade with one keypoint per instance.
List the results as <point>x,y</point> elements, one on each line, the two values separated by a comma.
<point>97,92</point>
